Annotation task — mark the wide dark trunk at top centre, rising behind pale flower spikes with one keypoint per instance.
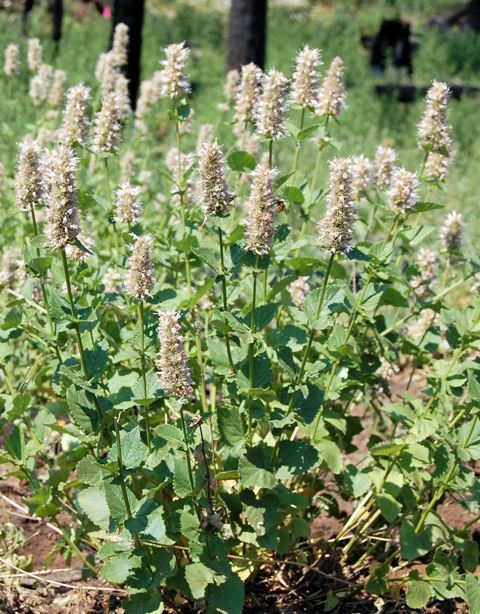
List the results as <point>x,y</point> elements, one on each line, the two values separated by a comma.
<point>247,33</point>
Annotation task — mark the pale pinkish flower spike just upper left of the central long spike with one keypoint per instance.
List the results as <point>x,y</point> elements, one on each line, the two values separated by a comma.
<point>215,195</point>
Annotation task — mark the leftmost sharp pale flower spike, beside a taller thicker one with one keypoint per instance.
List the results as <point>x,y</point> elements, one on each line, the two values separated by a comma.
<point>28,180</point>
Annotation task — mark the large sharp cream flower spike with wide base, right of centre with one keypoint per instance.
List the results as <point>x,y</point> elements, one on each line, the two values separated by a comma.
<point>336,229</point>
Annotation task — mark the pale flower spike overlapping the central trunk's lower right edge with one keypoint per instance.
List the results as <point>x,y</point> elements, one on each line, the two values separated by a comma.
<point>271,106</point>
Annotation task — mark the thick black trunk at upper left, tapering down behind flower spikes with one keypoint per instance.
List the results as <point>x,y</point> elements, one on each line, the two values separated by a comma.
<point>130,12</point>
